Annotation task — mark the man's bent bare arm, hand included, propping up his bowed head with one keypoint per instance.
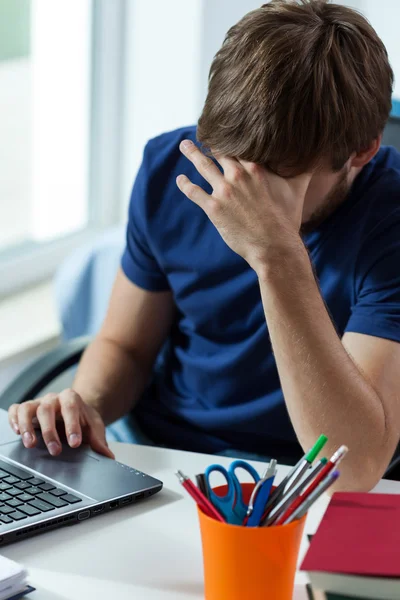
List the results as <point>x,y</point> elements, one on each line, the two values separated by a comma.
<point>259,215</point>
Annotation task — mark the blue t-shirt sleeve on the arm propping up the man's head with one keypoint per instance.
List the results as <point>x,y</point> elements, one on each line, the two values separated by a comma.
<point>376,310</point>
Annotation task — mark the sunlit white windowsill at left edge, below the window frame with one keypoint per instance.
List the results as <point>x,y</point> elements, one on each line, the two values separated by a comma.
<point>28,321</point>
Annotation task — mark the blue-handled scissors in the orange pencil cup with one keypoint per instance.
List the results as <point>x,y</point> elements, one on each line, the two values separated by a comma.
<point>231,506</point>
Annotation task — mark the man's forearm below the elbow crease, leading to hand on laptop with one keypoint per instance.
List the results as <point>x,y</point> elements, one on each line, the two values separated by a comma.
<point>110,379</point>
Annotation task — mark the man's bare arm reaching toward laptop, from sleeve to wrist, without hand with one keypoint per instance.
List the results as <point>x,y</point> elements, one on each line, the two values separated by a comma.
<point>116,367</point>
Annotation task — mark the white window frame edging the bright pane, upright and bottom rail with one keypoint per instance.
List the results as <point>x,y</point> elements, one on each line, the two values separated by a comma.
<point>29,263</point>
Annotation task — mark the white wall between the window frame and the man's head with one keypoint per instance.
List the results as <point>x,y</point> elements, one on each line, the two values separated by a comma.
<point>170,46</point>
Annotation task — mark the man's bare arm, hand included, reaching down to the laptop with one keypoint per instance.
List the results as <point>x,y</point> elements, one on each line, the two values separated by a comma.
<point>111,377</point>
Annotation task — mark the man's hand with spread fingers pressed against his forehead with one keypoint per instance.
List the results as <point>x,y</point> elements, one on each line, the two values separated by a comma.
<point>255,211</point>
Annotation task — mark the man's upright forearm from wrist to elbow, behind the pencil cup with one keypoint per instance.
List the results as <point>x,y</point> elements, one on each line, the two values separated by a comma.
<point>324,390</point>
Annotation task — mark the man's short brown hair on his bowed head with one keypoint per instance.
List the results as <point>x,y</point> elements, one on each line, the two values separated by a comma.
<point>296,83</point>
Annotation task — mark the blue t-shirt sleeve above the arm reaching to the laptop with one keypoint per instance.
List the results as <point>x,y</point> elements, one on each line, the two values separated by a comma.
<point>138,261</point>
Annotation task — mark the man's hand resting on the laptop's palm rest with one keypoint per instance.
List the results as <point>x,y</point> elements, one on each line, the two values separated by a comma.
<point>81,421</point>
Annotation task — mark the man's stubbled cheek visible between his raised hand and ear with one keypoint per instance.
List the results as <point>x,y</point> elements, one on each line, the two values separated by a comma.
<point>326,191</point>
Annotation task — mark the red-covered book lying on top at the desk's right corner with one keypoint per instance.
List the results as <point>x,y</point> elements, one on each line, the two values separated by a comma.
<point>356,548</point>
